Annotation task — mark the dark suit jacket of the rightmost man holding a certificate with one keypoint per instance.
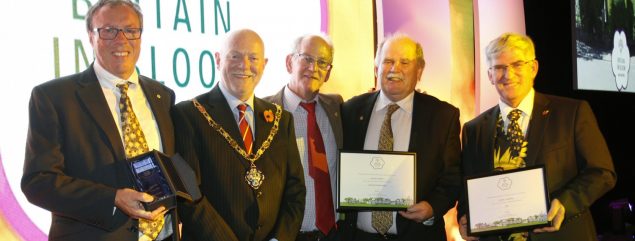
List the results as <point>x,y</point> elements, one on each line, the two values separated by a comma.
<point>564,136</point>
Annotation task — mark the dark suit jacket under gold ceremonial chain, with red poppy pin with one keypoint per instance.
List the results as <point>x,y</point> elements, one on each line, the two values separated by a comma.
<point>230,209</point>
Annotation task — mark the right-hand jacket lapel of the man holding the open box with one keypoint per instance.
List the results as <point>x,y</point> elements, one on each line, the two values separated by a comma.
<point>161,115</point>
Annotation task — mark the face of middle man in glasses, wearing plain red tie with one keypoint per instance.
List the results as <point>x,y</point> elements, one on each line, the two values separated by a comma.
<point>307,78</point>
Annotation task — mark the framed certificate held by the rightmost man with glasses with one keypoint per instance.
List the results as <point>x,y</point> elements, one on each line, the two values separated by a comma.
<point>507,201</point>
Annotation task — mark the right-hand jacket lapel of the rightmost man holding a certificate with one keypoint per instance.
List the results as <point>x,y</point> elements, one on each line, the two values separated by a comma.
<point>537,126</point>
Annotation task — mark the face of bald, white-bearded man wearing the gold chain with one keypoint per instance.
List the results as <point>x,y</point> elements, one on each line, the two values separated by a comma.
<point>241,63</point>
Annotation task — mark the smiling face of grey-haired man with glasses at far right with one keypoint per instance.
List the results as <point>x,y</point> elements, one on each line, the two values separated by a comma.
<point>513,83</point>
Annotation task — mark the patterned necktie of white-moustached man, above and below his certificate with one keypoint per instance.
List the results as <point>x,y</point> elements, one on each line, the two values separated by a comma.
<point>382,220</point>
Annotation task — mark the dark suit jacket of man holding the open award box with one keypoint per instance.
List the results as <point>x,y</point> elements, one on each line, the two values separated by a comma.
<point>74,160</point>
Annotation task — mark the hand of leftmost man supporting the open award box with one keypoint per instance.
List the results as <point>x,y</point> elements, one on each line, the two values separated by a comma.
<point>129,202</point>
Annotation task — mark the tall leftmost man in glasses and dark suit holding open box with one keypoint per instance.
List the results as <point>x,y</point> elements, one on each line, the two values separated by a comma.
<point>75,154</point>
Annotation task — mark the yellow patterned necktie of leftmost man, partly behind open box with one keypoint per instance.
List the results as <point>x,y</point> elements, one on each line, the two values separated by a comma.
<point>135,144</point>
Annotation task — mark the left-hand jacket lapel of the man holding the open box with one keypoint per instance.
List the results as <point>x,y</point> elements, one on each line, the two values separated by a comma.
<point>93,101</point>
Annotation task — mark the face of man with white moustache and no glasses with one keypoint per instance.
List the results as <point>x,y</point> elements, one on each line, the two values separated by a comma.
<point>398,68</point>
